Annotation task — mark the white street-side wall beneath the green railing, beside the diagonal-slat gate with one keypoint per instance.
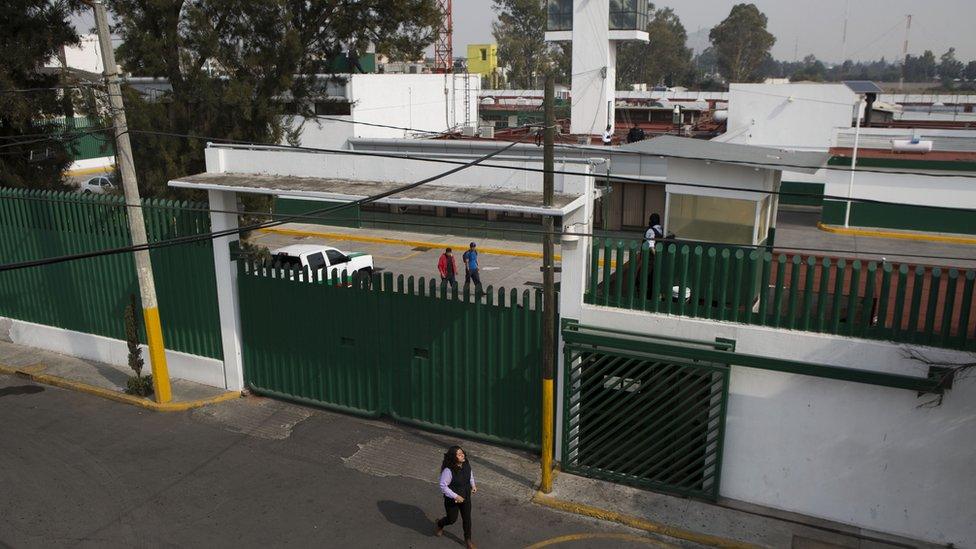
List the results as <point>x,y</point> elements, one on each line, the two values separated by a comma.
<point>854,453</point>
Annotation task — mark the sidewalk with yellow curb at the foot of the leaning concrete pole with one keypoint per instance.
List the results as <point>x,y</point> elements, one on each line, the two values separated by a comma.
<point>102,380</point>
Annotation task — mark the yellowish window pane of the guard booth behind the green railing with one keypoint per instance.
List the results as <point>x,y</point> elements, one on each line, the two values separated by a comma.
<point>711,219</point>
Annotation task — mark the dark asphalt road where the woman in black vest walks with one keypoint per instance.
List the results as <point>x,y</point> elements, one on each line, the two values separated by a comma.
<point>77,470</point>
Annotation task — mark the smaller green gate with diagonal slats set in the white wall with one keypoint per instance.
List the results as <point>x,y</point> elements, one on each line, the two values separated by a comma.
<point>642,419</point>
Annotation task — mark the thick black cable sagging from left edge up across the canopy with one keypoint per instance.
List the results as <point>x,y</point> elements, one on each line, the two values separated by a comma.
<point>227,232</point>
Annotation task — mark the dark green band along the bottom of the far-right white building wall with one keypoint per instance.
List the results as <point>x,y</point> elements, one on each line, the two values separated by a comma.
<point>900,216</point>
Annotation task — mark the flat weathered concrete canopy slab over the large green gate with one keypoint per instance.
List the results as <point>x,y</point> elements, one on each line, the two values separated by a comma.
<point>346,190</point>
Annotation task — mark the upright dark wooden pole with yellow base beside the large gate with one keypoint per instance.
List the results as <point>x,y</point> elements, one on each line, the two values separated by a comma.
<point>548,287</point>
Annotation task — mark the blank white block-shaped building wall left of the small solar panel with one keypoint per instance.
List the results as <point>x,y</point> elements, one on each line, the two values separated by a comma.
<point>793,116</point>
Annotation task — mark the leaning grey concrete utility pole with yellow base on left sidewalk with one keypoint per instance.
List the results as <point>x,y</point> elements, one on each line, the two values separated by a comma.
<point>137,225</point>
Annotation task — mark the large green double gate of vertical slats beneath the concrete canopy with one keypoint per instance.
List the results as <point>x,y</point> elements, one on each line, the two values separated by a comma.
<point>410,349</point>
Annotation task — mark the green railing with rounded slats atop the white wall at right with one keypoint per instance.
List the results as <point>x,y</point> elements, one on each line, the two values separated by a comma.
<point>868,299</point>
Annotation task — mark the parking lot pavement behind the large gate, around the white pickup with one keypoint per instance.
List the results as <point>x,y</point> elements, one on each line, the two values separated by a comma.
<point>505,271</point>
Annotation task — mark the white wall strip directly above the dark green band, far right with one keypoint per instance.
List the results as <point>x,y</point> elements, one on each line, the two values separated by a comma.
<point>915,190</point>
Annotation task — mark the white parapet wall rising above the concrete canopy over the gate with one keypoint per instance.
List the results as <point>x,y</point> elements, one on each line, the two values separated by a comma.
<point>393,170</point>
